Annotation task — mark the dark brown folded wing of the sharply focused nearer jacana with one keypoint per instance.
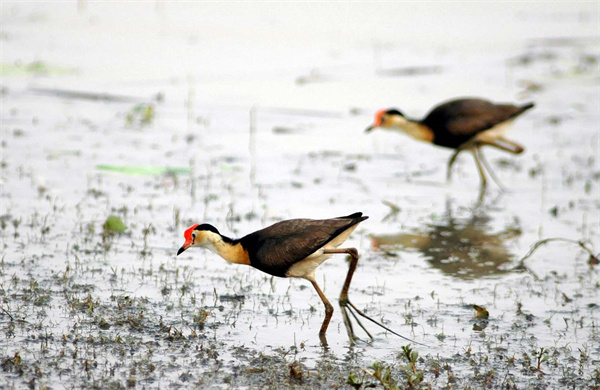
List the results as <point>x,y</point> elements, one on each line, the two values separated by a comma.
<point>276,248</point>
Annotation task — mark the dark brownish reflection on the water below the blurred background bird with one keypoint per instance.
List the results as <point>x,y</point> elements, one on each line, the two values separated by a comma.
<point>465,247</point>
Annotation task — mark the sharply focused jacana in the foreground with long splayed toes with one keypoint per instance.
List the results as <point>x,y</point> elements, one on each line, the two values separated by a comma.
<point>294,249</point>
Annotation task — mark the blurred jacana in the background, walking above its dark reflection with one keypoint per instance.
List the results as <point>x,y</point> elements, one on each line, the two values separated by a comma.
<point>460,124</point>
